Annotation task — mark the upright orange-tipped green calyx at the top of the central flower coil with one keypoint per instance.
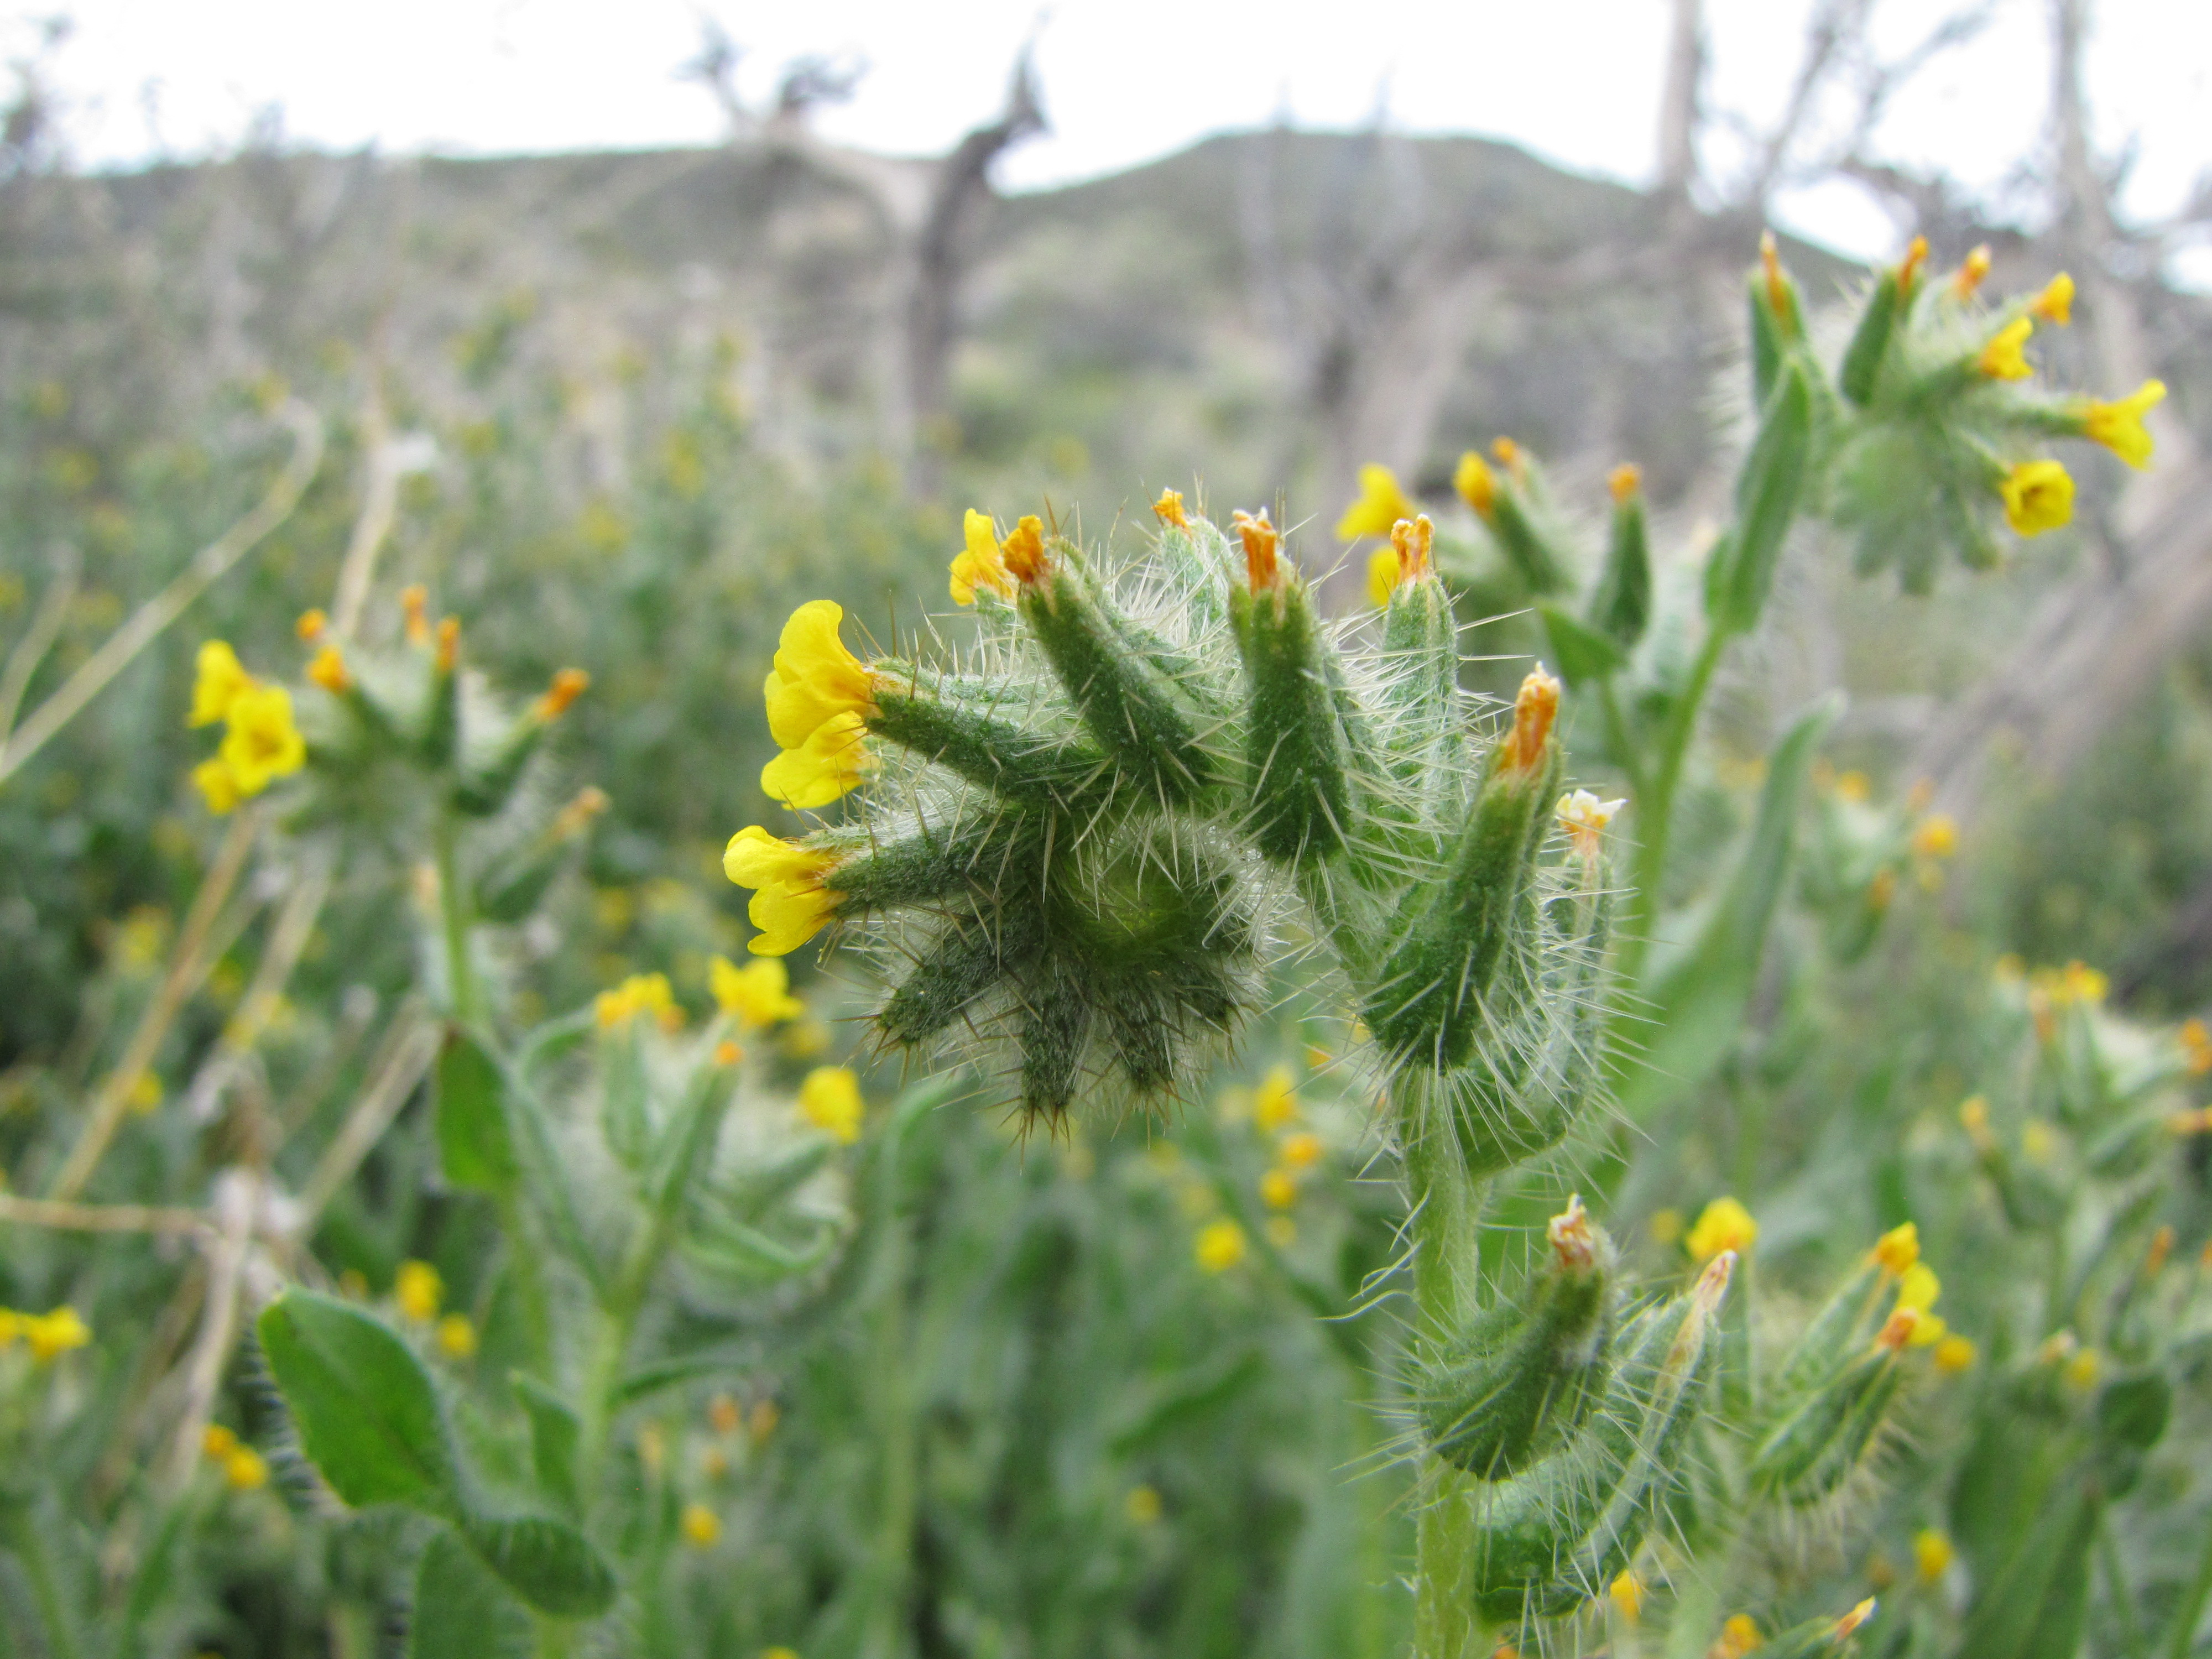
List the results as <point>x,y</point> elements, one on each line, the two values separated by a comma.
<point>1295,764</point>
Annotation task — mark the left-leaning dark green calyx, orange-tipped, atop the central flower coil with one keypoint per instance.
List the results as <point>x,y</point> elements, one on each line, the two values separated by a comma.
<point>1127,702</point>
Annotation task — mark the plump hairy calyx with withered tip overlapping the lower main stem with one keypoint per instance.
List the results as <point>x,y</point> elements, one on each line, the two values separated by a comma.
<point>1521,1379</point>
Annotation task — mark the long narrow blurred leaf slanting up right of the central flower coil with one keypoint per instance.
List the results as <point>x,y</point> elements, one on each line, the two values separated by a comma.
<point>1693,1008</point>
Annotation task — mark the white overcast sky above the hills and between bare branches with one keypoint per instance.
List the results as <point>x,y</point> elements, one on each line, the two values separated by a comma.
<point>1125,81</point>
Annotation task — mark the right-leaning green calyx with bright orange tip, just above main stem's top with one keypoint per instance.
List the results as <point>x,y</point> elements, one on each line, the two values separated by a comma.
<point>1430,1001</point>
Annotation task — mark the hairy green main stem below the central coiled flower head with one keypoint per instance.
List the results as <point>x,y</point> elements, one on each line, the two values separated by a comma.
<point>1446,1282</point>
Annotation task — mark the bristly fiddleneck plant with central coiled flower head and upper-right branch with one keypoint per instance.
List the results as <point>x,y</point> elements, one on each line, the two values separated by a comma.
<point>1085,844</point>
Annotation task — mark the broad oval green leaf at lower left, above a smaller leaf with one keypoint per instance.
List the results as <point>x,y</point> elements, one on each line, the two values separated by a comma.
<point>366,1410</point>
